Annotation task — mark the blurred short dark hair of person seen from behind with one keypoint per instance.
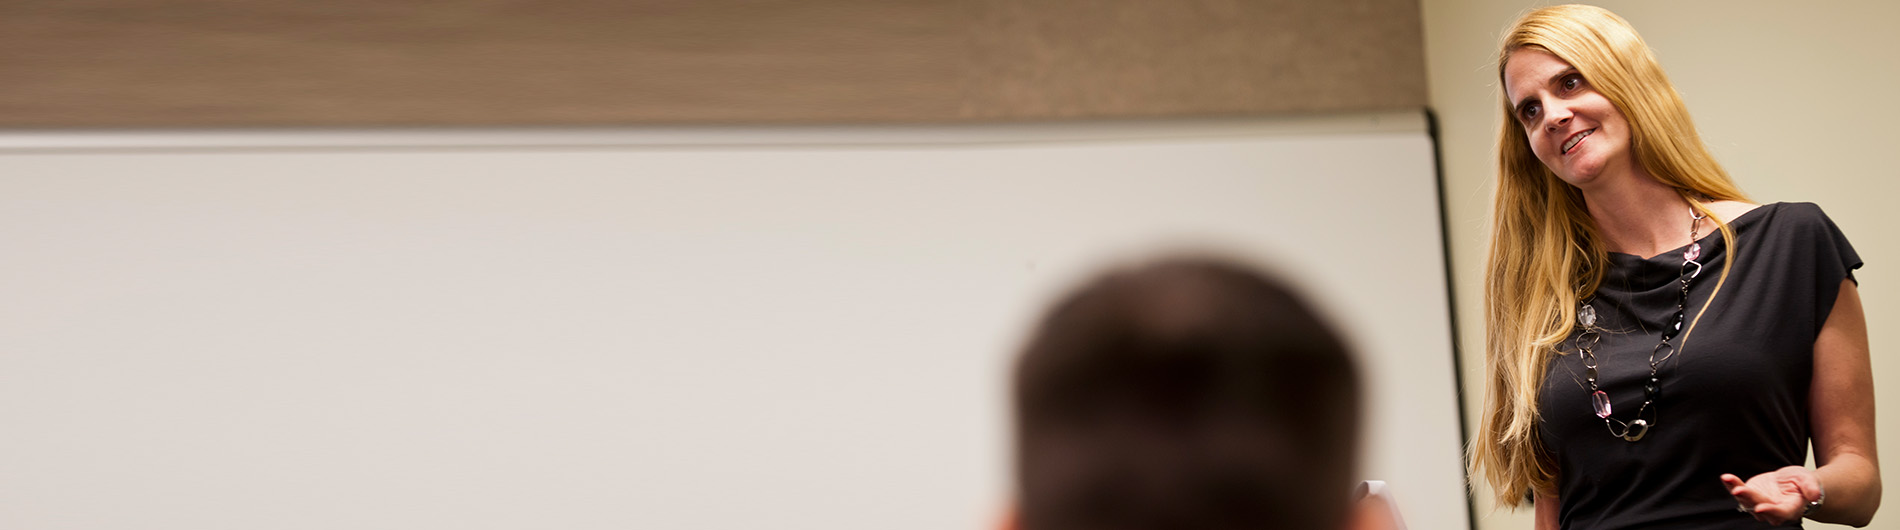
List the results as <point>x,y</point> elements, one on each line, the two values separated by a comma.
<point>1185,394</point>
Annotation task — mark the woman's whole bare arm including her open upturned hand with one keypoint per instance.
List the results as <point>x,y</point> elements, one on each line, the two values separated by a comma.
<point>1842,421</point>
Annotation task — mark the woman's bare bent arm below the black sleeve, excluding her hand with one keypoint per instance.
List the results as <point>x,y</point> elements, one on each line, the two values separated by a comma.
<point>1842,415</point>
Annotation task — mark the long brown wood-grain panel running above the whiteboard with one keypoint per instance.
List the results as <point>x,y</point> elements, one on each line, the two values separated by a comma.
<point>282,64</point>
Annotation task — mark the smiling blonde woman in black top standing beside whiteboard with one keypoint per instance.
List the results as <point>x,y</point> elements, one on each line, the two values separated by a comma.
<point>1644,373</point>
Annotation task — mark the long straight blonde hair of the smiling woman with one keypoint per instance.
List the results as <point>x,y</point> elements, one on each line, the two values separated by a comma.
<point>1546,248</point>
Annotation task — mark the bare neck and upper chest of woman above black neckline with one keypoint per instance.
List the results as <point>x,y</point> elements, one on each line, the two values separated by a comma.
<point>1639,216</point>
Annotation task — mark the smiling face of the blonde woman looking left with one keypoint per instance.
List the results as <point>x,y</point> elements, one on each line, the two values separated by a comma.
<point>1572,128</point>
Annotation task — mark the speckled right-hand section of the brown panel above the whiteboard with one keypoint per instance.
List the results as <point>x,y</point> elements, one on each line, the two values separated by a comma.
<point>1143,58</point>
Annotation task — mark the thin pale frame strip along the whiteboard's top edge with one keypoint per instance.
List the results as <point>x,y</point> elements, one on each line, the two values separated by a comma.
<point>73,142</point>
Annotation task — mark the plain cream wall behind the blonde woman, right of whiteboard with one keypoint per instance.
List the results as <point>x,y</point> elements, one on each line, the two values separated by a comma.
<point>1796,100</point>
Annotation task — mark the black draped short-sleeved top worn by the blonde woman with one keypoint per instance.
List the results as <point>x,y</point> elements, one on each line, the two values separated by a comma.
<point>1734,400</point>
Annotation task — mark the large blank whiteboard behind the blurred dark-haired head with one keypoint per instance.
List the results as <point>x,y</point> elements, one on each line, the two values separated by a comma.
<point>770,328</point>
